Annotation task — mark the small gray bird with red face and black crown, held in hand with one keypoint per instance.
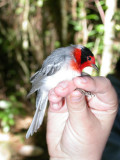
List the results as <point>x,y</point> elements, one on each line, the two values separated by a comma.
<point>64,63</point>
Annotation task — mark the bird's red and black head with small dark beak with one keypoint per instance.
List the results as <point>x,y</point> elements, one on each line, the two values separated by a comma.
<point>84,57</point>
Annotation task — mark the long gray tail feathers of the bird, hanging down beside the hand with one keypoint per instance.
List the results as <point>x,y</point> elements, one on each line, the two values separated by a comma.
<point>41,104</point>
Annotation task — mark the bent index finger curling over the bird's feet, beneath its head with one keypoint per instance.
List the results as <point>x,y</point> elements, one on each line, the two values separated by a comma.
<point>100,86</point>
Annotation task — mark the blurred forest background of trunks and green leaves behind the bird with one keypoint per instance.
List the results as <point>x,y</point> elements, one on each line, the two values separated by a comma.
<point>29,31</point>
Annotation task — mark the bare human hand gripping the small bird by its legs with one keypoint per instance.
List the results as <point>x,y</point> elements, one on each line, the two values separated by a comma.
<point>79,128</point>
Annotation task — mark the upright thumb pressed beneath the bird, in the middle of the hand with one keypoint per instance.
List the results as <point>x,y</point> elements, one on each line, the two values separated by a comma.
<point>79,113</point>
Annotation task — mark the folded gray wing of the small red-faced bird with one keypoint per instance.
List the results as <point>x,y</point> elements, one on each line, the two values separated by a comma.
<point>50,66</point>
